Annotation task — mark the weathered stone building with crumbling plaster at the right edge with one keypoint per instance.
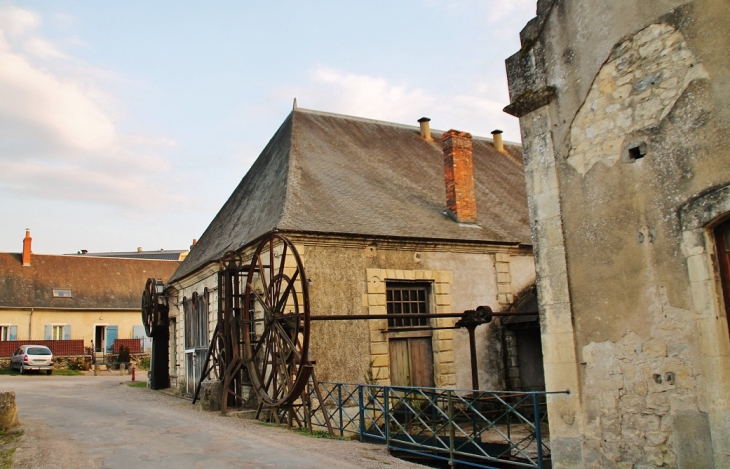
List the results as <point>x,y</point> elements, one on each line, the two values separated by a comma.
<point>624,109</point>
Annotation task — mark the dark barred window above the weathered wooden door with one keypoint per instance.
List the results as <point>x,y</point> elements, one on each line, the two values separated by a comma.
<point>407,298</point>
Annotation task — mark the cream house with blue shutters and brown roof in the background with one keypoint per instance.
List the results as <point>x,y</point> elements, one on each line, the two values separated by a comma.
<point>60,297</point>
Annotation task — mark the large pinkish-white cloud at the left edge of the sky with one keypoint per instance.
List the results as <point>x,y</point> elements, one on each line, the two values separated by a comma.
<point>58,137</point>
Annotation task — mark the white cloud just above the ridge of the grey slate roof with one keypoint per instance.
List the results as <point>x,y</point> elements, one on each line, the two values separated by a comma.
<point>477,110</point>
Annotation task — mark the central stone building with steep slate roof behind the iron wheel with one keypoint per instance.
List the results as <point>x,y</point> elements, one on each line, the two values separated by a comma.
<point>365,203</point>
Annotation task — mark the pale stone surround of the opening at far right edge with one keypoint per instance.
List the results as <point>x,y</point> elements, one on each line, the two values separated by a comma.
<point>698,219</point>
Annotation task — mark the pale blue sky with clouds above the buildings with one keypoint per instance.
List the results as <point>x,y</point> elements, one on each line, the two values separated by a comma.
<point>128,124</point>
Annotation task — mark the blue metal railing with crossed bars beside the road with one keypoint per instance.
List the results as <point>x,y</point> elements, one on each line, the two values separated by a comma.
<point>478,428</point>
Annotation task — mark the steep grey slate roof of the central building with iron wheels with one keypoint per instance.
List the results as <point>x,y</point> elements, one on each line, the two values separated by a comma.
<point>329,173</point>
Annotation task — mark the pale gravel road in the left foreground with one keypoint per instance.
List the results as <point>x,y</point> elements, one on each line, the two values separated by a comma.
<point>100,422</point>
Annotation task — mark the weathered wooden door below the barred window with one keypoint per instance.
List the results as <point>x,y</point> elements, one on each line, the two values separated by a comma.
<point>411,362</point>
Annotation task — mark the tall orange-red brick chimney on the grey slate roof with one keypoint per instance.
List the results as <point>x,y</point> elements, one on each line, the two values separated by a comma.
<point>459,176</point>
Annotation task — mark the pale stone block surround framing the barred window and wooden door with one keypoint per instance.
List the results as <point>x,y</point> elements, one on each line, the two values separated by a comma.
<point>444,369</point>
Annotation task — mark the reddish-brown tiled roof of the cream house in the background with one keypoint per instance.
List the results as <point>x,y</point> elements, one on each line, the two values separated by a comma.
<point>94,282</point>
